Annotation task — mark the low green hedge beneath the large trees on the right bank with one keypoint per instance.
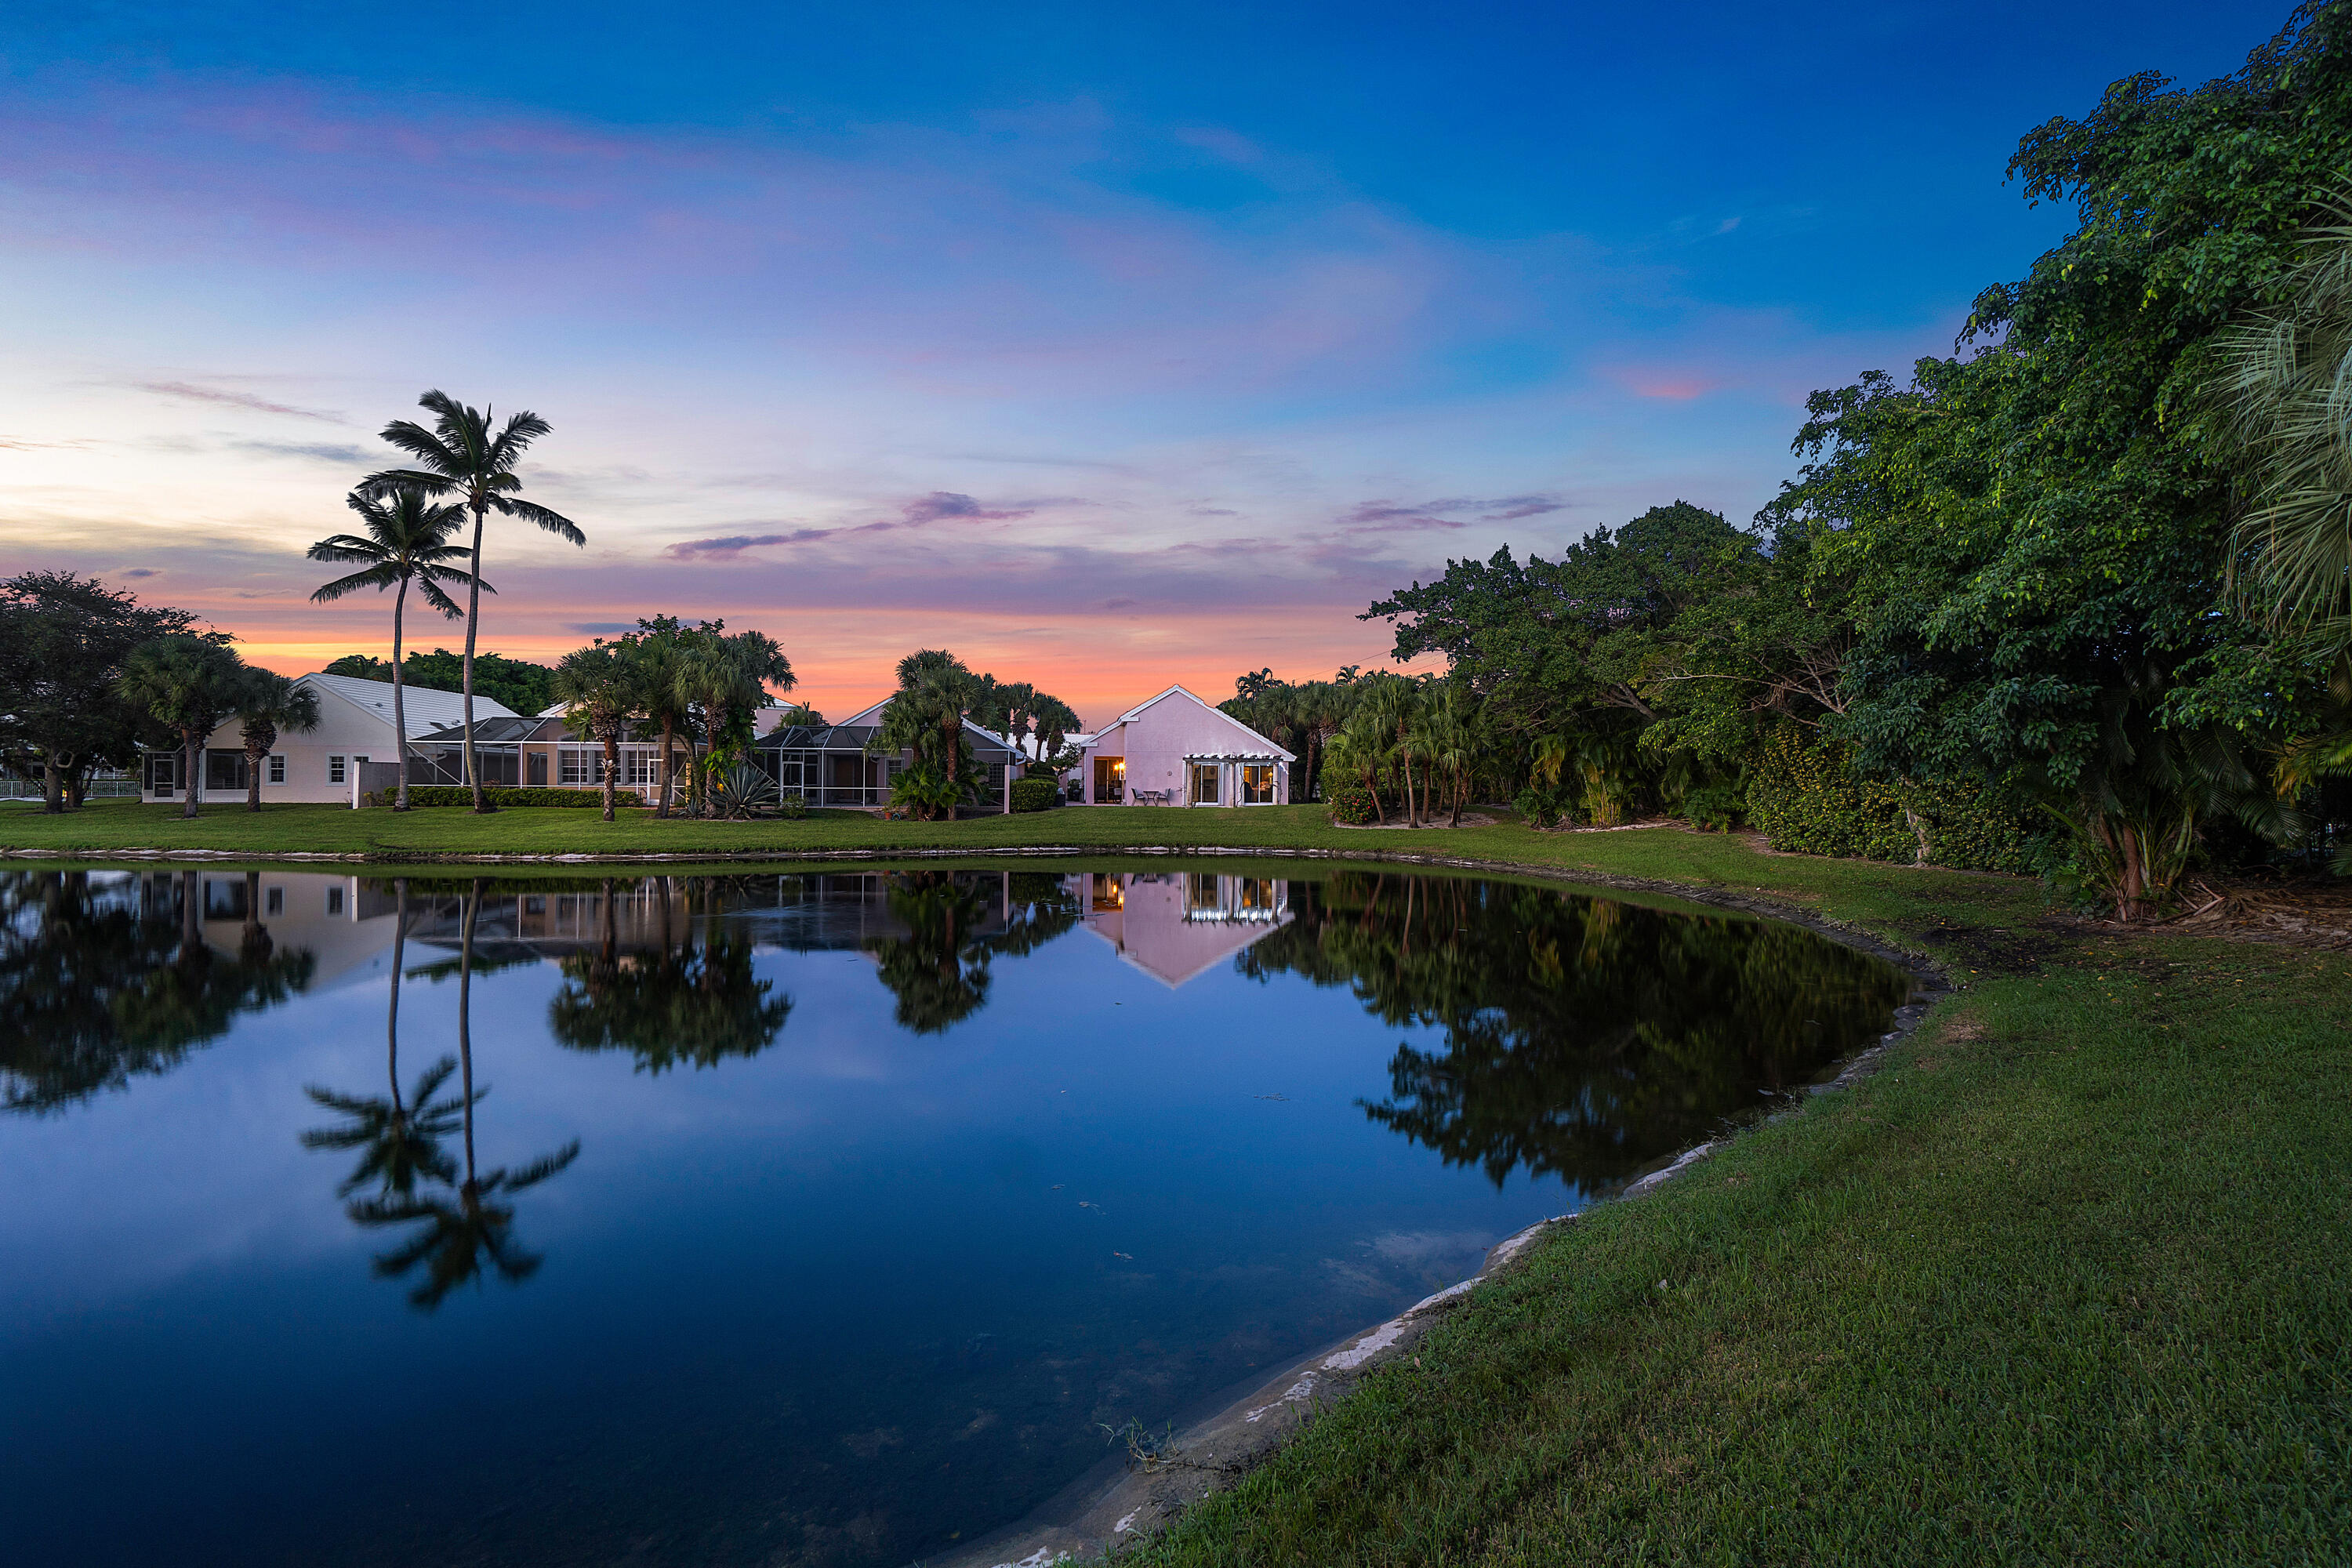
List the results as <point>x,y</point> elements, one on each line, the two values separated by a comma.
<point>1810,800</point>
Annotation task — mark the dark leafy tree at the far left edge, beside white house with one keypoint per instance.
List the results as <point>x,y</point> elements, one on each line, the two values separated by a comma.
<point>65,643</point>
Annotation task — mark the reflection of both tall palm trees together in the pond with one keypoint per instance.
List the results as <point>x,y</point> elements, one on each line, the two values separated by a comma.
<point>462,1217</point>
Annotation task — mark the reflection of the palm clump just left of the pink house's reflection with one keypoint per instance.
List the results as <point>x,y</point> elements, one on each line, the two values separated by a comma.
<point>940,970</point>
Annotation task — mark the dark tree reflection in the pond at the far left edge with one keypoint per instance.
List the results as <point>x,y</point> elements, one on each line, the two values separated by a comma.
<point>107,981</point>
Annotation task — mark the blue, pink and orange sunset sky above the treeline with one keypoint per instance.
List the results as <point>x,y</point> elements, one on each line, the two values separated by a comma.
<point>1107,347</point>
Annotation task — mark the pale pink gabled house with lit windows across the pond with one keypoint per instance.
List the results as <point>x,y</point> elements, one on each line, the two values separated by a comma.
<point>1180,751</point>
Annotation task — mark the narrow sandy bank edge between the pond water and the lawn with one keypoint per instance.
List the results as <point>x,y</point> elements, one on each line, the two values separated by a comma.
<point>1095,1517</point>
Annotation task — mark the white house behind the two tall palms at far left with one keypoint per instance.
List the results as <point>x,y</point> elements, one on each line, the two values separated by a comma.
<point>354,728</point>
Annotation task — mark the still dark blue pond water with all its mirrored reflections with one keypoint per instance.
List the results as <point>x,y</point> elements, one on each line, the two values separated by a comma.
<point>794,1219</point>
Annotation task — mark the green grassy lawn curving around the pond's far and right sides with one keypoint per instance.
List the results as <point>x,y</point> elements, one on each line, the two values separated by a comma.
<point>2071,1280</point>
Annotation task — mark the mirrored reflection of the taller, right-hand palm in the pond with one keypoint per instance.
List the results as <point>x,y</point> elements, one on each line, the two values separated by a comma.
<point>467,1226</point>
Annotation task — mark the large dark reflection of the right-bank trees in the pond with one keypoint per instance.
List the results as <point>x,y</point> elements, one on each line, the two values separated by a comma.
<point>1584,1038</point>
